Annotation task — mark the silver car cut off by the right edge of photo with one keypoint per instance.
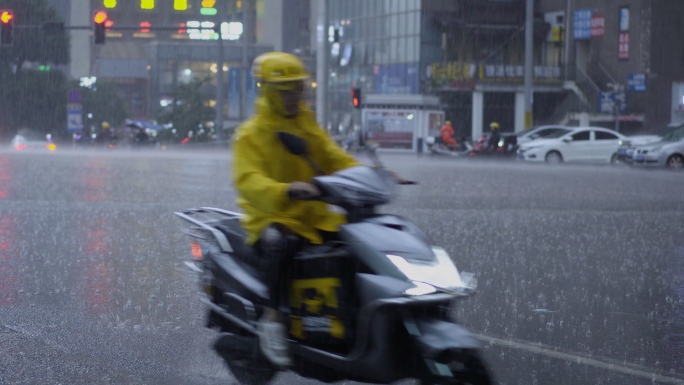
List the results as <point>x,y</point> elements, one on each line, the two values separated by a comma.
<point>668,152</point>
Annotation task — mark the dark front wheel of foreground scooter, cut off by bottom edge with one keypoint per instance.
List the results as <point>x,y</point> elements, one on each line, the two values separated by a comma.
<point>466,367</point>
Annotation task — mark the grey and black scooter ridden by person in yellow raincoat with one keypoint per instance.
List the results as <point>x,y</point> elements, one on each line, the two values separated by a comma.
<point>373,305</point>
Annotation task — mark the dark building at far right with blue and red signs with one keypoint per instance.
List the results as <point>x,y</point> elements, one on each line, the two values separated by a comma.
<point>626,59</point>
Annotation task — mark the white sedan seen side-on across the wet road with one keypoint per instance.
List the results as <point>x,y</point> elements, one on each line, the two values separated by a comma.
<point>583,144</point>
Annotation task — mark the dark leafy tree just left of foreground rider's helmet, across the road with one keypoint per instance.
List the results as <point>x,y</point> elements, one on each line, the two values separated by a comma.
<point>189,110</point>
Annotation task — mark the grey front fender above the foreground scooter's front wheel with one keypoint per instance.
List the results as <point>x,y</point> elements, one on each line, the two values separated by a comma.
<point>434,337</point>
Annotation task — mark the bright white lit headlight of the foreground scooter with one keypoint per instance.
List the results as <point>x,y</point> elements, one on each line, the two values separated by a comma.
<point>428,276</point>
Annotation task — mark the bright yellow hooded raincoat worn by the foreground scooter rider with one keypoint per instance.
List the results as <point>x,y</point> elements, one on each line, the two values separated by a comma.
<point>263,169</point>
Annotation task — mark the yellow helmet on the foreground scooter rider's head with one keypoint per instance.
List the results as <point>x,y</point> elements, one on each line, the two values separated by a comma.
<point>278,67</point>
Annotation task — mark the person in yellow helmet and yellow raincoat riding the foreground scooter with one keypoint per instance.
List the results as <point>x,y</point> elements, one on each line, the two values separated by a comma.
<point>266,174</point>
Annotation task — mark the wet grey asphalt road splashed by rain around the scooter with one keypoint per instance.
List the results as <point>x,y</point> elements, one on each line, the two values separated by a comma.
<point>581,268</point>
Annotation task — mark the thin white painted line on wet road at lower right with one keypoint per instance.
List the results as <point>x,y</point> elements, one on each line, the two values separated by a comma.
<point>578,359</point>
